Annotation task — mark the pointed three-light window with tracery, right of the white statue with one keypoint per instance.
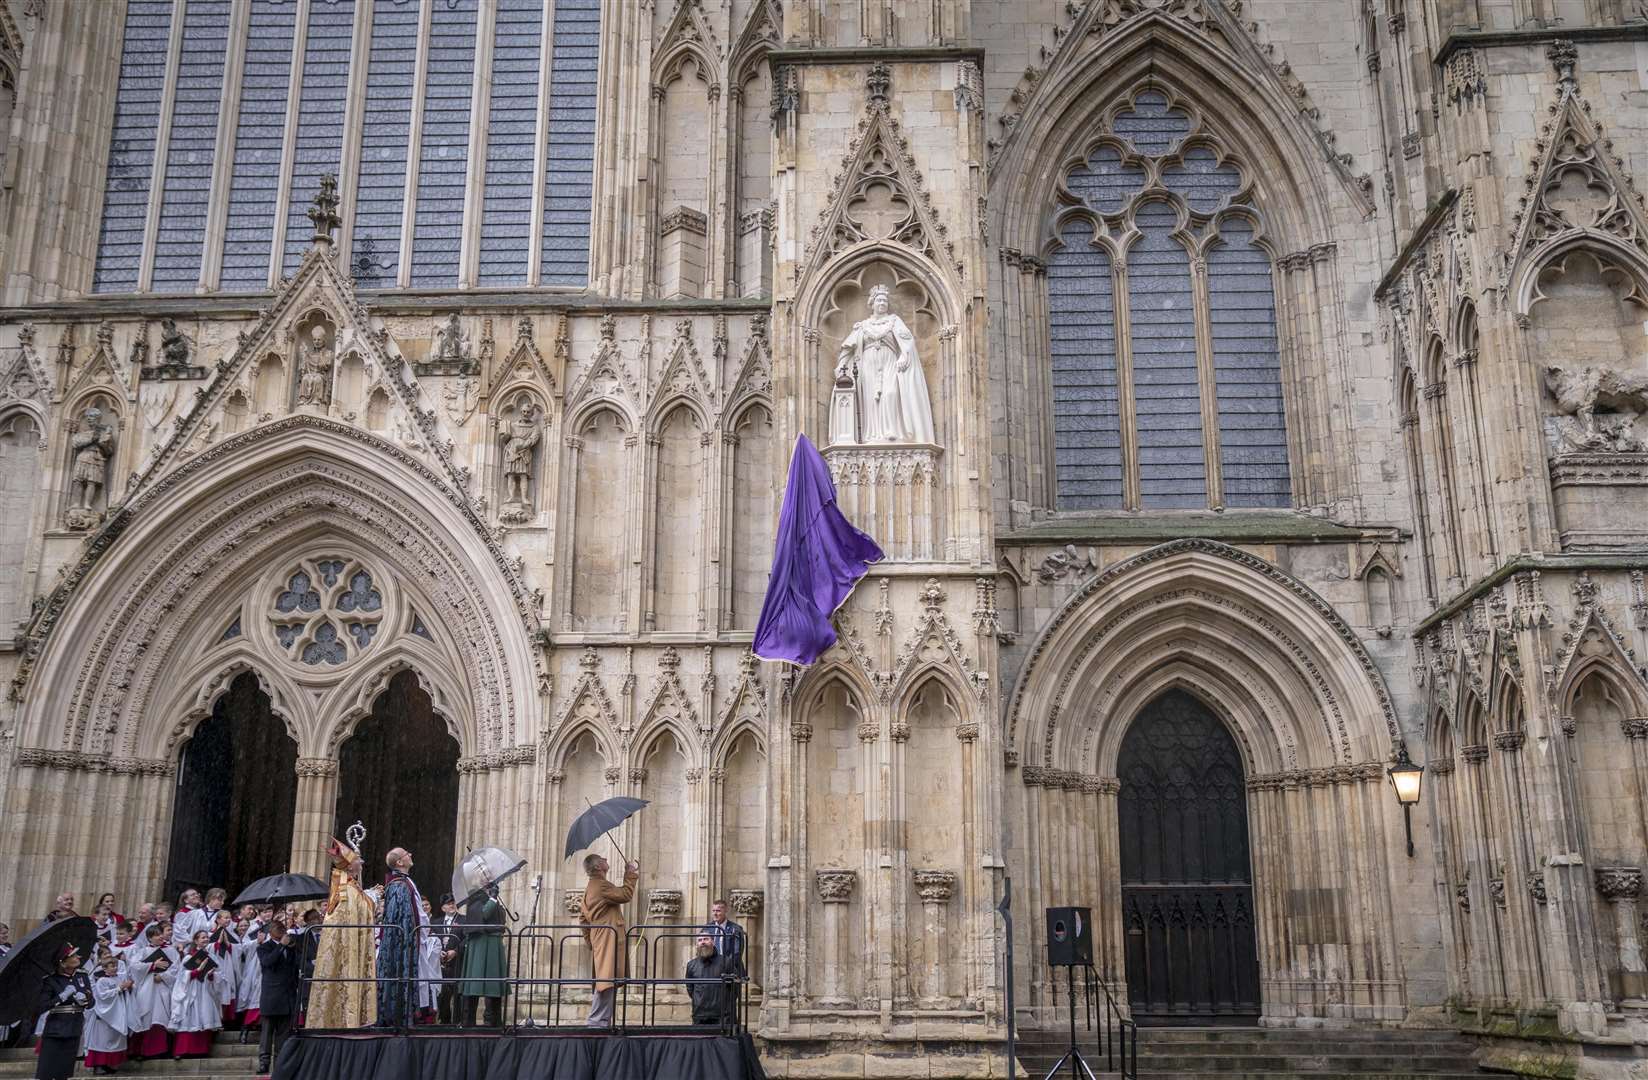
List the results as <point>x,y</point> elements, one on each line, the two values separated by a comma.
<point>1166,372</point>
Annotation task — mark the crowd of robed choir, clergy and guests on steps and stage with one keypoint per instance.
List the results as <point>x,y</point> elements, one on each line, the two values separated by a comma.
<point>164,982</point>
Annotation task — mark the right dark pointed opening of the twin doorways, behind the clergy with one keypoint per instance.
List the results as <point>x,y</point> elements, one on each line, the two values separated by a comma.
<point>398,776</point>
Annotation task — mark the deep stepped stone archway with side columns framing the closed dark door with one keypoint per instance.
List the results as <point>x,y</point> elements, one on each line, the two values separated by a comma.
<point>1313,723</point>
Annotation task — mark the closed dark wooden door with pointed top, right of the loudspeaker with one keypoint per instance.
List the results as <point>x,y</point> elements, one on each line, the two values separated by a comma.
<point>1187,886</point>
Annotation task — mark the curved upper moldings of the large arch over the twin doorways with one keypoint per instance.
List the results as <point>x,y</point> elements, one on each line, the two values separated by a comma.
<point>118,626</point>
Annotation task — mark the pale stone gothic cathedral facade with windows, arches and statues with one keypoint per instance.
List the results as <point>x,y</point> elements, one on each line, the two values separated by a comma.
<point>396,400</point>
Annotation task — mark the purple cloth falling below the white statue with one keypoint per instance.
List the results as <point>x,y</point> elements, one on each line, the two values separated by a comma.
<point>817,563</point>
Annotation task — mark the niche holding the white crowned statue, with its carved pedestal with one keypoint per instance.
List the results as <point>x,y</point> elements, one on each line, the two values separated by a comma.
<point>883,438</point>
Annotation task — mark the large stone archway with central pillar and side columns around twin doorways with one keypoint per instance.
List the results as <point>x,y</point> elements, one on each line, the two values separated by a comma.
<point>128,655</point>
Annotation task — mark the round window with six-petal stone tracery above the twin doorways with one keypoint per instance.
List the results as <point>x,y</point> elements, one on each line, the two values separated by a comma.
<point>327,611</point>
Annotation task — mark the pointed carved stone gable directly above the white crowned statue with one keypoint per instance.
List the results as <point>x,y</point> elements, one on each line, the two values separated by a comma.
<point>879,195</point>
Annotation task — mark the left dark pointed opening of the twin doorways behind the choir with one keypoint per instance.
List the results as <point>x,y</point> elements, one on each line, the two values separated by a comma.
<point>236,797</point>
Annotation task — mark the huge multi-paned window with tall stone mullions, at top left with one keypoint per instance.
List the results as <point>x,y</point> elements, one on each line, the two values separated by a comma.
<point>291,111</point>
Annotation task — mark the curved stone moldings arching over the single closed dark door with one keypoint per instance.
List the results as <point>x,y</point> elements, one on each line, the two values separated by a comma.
<point>1329,695</point>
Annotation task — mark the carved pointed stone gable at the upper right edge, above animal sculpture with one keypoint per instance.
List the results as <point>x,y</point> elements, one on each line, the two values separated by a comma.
<point>1576,184</point>
